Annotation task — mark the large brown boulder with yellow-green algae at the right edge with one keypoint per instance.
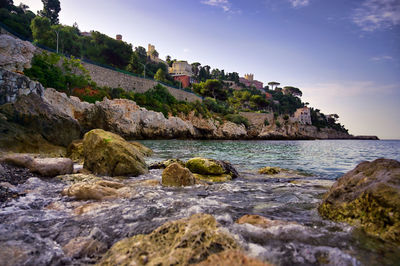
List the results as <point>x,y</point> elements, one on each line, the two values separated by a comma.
<point>369,197</point>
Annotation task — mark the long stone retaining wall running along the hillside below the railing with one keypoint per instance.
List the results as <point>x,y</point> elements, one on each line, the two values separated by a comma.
<point>114,79</point>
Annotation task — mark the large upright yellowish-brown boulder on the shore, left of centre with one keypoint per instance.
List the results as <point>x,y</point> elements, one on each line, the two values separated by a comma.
<point>106,153</point>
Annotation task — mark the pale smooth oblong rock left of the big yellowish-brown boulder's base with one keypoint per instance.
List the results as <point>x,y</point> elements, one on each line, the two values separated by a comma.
<point>51,167</point>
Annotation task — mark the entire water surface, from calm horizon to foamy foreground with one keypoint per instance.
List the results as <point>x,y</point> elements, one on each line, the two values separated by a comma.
<point>43,223</point>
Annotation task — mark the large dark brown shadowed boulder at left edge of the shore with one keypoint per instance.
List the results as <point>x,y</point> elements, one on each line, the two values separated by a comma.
<point>37,114</point>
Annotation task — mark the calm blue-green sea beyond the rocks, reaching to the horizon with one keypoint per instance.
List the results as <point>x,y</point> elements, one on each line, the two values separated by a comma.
<point>323,158</point>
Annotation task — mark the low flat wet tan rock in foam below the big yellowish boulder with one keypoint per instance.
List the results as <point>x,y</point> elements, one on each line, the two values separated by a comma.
<point>93,191</point>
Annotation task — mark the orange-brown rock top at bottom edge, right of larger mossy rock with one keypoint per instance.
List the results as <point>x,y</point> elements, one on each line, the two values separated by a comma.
<point>231,257</point>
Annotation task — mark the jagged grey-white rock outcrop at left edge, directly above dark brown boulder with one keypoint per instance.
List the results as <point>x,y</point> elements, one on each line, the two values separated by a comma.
<point>13,84</point>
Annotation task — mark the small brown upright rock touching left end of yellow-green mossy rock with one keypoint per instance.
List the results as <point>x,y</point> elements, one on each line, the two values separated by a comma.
<point>176,176</point>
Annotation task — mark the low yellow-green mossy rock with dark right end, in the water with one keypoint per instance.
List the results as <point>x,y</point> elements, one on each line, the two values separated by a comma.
<point>211,170</point>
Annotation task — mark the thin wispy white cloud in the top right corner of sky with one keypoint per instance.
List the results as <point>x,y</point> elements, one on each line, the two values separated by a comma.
<point>377,14</point>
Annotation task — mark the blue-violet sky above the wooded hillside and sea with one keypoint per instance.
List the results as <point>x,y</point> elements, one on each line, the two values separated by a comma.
<point>344,55</point>
